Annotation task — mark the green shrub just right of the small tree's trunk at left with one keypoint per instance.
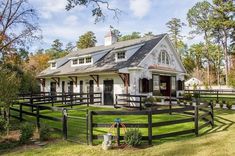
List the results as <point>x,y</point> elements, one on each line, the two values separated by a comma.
<point>26,132</point>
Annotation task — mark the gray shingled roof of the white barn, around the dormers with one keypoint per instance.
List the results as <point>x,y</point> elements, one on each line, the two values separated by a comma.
<point>107,62</point>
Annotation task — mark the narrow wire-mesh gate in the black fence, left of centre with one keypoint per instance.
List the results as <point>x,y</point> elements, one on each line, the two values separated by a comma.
<point>75,125</point>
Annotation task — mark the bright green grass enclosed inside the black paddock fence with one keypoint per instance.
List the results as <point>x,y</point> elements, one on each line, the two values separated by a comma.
<point>77,130</point>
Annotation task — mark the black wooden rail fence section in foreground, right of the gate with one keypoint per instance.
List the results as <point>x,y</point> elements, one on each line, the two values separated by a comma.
<point>150,125</point>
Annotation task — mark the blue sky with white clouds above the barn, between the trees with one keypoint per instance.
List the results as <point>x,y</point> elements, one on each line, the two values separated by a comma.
<point>137,15</point>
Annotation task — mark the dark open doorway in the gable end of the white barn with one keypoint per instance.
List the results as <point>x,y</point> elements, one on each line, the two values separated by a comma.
<point>165,85</point>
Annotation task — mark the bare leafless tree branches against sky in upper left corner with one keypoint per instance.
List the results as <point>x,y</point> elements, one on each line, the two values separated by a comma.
<point>18,24</point>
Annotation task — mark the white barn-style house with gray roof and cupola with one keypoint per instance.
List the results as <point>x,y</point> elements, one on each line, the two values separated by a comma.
<point>148,66</point>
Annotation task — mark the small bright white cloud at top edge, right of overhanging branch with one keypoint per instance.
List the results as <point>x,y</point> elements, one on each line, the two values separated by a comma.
<point>140,7</point>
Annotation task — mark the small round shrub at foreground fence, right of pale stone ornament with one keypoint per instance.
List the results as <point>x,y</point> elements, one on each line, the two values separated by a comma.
<point>133,137</point>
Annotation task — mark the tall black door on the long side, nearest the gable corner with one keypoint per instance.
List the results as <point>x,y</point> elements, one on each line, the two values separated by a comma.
<point>108,92</point>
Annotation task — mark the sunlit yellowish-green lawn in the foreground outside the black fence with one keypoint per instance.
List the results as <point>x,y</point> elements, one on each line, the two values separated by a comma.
<point>217,141</point>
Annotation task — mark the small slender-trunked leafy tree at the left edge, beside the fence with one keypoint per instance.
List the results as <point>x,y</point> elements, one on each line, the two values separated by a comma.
<point>9,86</point>
